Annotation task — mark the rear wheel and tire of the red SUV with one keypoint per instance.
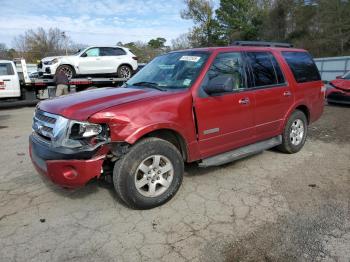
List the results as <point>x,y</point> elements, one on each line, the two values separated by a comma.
<point>294,134</point>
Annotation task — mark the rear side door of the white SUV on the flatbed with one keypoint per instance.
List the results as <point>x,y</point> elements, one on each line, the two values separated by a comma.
<point>112,57</point>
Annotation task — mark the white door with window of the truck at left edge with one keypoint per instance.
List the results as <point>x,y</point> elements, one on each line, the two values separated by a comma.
<point>9,82</point>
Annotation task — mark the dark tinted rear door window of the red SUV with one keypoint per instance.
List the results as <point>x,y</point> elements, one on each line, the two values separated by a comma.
<point>265,69</point>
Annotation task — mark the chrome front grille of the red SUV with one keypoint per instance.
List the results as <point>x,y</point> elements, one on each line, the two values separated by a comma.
<point>43,124</point>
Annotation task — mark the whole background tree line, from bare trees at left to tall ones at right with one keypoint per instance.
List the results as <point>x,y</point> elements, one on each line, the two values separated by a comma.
<point>320,26</point>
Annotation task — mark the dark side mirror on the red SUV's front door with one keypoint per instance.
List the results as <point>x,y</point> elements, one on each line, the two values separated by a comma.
<point>219,84</point>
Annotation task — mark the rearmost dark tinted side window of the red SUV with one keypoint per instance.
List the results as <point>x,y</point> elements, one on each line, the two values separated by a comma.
<point>302,66</point>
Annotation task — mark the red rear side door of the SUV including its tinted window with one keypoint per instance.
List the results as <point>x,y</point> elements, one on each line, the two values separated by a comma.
<point>273,95</point>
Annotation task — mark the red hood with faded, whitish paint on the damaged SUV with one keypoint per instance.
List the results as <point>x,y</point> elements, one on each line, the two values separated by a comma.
<point>82,105</point>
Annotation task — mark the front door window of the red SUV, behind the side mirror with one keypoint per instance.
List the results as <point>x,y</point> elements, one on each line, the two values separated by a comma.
<point>227,64</point>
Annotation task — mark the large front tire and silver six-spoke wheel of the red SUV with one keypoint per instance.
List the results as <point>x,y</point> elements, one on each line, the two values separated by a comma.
<point>148,175</point>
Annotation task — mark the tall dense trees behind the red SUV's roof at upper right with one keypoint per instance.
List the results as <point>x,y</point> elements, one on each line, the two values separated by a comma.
<point>320,26</point>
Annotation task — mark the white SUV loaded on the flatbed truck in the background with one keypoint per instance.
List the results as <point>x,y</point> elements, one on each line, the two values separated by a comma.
<point>92,61</point>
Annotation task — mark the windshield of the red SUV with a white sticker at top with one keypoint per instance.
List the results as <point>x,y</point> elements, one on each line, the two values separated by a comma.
<point>171,71</point>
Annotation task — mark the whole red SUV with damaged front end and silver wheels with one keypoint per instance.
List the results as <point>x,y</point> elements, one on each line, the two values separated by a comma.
<point>207,105</point>
